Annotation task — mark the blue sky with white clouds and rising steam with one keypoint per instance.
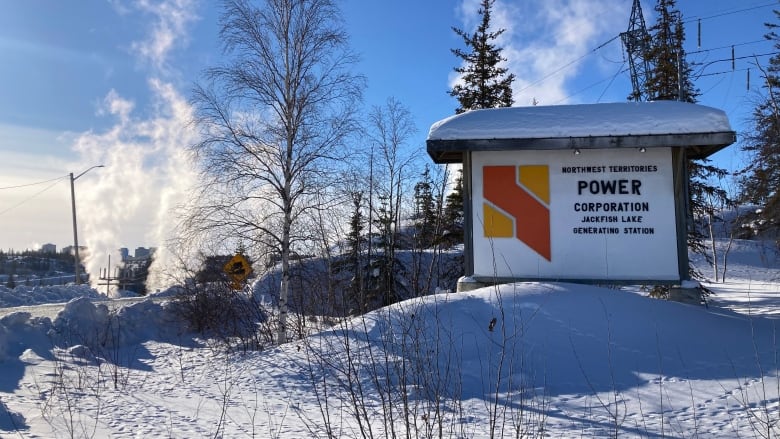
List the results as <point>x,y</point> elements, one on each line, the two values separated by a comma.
<point>106,81</point>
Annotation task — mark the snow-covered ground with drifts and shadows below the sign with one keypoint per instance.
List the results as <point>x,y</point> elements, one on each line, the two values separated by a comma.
<point>522,360</point>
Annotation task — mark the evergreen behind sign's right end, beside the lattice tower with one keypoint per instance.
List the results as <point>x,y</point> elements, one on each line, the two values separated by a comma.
<point>670,79</point>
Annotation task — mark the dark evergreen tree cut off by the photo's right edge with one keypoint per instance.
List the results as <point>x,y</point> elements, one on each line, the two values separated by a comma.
<point>760,180</point>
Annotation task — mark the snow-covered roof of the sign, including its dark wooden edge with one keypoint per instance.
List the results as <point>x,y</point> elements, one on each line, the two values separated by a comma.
<point>702,130</point>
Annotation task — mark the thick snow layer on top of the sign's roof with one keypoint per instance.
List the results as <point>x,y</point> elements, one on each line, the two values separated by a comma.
<point>591,120</point>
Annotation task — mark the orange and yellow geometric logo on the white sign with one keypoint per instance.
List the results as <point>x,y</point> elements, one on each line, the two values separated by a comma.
<point>517,205</point>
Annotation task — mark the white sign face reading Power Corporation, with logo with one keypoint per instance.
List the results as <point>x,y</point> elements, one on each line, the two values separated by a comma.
<point>600,214</point>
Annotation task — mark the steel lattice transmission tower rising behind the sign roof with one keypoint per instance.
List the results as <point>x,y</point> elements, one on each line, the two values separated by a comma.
<point>636,40</point>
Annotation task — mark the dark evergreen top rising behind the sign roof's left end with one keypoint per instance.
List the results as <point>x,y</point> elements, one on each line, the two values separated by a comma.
<point>485,83</point>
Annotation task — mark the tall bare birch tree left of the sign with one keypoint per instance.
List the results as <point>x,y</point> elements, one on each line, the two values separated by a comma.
<point>273,120</point>
